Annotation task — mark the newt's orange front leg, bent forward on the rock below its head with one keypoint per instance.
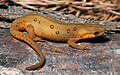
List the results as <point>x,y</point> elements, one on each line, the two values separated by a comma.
<point>72,43</point>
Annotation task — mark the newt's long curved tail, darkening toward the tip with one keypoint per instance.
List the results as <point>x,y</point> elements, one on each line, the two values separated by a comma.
<point>14,30</point>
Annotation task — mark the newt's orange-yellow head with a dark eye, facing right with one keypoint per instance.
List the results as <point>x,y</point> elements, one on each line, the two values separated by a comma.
<point>90,31</point>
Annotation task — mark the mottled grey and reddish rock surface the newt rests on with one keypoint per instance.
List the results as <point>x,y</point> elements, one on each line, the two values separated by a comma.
<point>102,59</point>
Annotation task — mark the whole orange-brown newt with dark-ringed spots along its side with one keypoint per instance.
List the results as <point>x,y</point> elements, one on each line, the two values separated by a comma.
<point>39,26</point>
